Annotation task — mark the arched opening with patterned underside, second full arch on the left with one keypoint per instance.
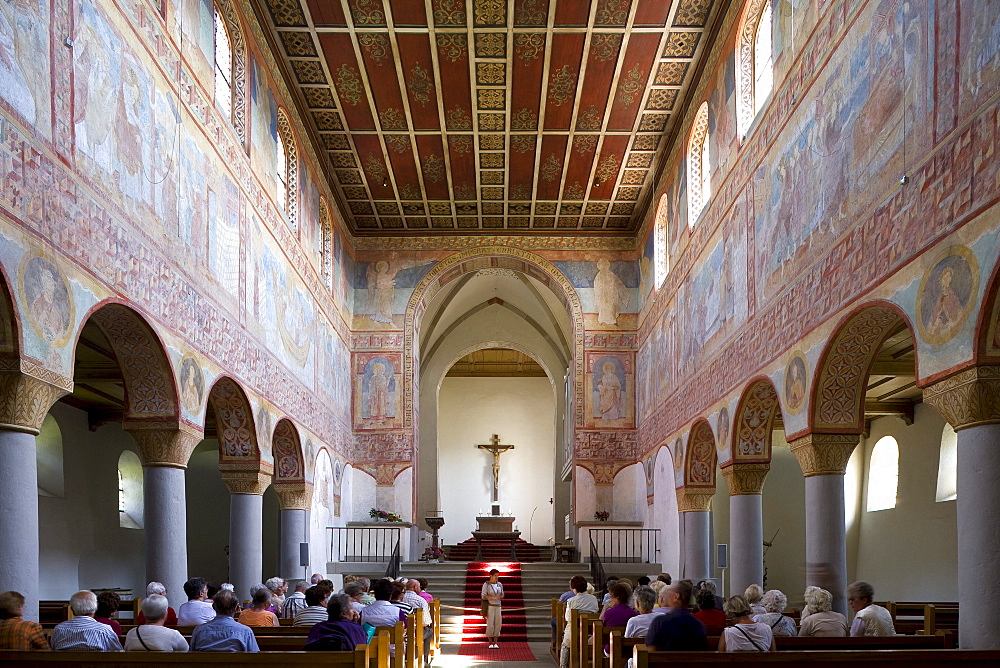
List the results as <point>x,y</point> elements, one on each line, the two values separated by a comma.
<point>226,482</point>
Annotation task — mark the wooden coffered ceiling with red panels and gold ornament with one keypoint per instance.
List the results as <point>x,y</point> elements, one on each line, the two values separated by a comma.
<point>453,116</point>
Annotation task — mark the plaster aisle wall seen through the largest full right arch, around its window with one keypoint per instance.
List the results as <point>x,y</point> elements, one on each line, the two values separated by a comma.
<point>910,552</point>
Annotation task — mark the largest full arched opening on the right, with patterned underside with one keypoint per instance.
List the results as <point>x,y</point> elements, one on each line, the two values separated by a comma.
<point>865,387</point>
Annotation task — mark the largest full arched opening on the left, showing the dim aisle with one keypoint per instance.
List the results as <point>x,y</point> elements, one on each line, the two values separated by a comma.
<point>124,398</point>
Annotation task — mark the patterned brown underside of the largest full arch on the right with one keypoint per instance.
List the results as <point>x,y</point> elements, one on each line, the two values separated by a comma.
<point>839,385</point>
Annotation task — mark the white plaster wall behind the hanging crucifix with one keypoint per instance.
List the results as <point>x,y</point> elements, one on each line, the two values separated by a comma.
<point>521,411</point>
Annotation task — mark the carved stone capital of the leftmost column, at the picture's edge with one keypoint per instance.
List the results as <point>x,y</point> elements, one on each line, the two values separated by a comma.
<point>25,399</point>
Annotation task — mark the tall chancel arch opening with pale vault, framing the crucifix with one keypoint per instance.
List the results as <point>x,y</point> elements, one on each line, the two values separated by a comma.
<point>497,306</point>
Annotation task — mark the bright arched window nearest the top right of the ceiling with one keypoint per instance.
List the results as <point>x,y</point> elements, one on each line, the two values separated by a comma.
<point>755,62</point>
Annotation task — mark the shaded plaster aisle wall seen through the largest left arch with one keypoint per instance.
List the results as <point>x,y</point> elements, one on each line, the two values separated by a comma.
<point>81,544</point>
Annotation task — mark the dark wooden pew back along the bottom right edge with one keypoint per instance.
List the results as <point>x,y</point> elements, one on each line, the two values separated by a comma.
<point>926,658</point>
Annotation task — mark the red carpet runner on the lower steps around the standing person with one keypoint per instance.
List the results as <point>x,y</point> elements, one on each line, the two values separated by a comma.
<point>513,633</point>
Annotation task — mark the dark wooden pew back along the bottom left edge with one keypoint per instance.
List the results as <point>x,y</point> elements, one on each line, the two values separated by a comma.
<point>357,659</point>
